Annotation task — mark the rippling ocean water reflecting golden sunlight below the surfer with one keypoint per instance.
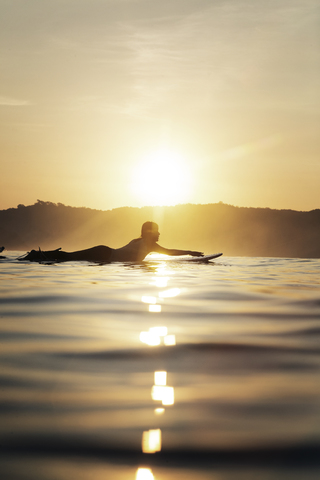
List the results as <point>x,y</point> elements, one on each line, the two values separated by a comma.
<point>237,340</point>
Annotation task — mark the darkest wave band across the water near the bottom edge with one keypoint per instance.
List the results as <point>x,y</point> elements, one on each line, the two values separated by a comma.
<point>299,455</point>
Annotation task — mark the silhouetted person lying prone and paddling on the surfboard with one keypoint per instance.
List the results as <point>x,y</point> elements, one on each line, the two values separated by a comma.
<point>135,251</point>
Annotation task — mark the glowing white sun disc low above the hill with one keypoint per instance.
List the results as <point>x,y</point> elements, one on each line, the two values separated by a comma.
<point>163,178</point>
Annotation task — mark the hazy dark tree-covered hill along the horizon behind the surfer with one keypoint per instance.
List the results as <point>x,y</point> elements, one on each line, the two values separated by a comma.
<point>209,228</point>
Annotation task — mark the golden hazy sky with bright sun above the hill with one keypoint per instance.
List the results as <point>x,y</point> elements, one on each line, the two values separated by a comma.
<point>109,103</point>
